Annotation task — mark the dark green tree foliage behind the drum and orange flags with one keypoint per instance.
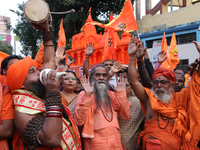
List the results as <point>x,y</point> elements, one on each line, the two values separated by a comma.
<point>30,39</point>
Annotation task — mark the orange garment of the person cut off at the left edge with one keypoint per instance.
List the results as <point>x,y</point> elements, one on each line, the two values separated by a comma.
<point>6,112</point>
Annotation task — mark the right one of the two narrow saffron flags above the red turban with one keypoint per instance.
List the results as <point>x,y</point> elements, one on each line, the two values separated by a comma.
<point>173,53</point>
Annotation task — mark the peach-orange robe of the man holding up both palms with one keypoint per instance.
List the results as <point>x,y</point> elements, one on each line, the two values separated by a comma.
<point>101,134</point>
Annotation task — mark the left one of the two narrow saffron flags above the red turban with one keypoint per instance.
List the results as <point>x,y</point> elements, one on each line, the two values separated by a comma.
<point>164,47</point>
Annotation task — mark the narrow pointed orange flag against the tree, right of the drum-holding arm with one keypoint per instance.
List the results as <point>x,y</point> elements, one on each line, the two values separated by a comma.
<point>61,36</point>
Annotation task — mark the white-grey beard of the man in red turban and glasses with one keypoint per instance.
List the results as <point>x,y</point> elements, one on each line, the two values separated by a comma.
<point>166,97</point>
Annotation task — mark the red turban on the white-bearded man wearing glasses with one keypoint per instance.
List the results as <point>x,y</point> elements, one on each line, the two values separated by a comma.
<point>164,72</point>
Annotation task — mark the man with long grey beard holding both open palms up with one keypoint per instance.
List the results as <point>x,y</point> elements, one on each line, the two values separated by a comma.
<point>97,108</point>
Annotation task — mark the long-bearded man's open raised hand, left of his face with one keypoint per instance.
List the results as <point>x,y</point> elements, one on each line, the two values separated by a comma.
<point>86,85</point>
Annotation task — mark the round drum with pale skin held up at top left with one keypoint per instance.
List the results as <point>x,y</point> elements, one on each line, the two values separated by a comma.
<point>37,11</point>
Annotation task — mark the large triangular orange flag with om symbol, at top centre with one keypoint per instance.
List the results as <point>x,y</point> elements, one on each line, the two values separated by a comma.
<point>126,19</point>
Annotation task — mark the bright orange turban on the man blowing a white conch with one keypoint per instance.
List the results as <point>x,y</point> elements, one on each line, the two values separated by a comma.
<point>18,71</point>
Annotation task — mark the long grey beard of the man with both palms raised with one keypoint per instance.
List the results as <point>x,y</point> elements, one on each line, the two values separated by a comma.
<point>101,94</point>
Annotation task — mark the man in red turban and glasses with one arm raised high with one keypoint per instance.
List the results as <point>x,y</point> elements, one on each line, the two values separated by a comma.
<point>167,121</point>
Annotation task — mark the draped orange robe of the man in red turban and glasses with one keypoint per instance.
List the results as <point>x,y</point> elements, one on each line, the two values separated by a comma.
<point>183,109</point>
